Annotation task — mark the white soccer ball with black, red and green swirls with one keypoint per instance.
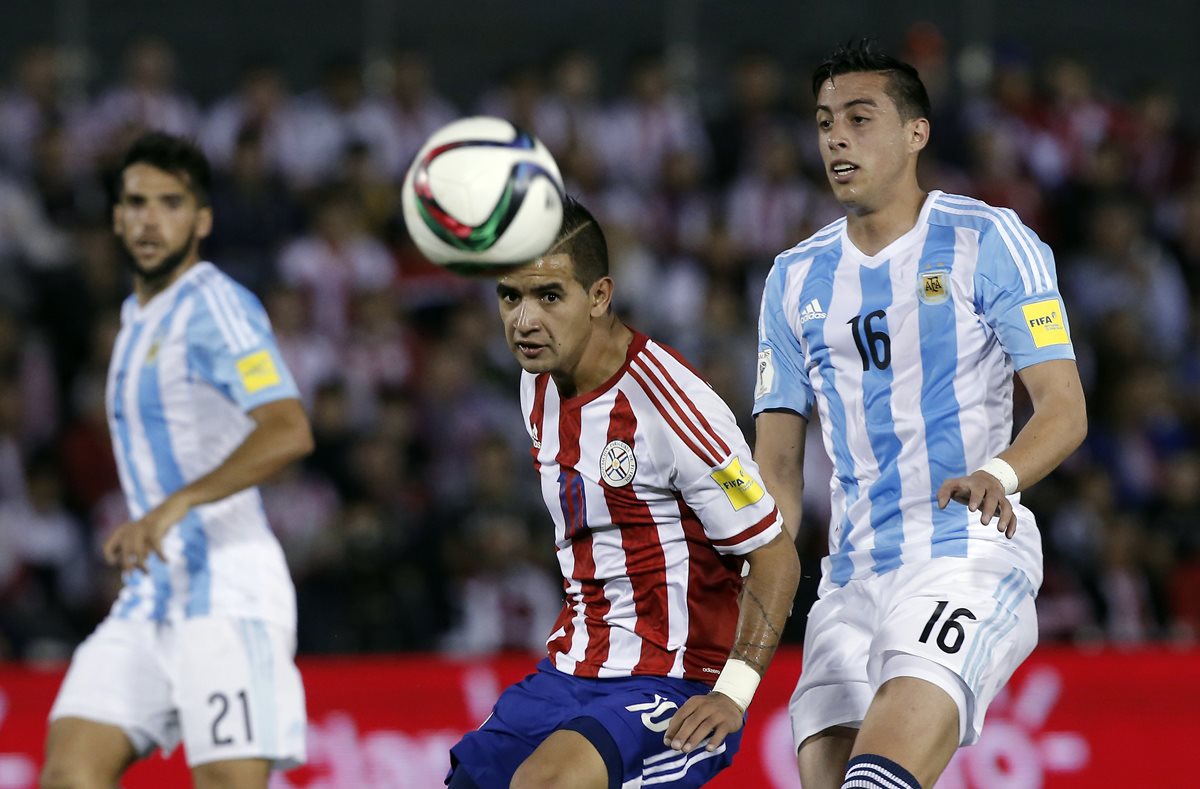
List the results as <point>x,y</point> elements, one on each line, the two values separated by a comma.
<point>481,194</point>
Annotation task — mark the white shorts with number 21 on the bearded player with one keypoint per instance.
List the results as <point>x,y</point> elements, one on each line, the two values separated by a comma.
<point>227,688</point>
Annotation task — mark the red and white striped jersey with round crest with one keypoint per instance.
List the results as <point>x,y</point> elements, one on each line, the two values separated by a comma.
<point>655,497</point>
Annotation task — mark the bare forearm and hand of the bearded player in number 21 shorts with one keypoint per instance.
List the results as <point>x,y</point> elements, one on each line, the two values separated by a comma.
<point>281,436</point>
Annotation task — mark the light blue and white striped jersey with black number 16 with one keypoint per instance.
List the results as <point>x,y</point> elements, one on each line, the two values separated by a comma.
<point>909,356</point>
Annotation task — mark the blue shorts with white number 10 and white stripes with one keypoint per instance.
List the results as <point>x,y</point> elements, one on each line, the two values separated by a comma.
<point>623,718</point>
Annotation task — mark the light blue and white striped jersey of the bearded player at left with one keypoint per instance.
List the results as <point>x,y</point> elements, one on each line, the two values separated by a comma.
<point>187,369</point>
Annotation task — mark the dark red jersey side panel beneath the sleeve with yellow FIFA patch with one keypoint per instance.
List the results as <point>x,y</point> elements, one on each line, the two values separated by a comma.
<point>715,585</point>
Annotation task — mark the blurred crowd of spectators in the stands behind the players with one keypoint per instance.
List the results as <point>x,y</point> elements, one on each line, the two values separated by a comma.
<point>417,525</point>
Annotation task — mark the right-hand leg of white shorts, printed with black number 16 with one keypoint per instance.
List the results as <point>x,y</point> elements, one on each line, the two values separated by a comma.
<point>961,625</point>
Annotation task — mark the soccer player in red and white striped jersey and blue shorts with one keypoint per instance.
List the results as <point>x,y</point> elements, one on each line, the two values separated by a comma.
<point>658,510</point>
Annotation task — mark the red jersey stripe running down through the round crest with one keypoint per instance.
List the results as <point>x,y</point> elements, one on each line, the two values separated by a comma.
<point>645,562</point>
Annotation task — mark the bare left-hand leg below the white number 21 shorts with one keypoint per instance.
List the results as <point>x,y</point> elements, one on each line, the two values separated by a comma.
<point>81,755</point>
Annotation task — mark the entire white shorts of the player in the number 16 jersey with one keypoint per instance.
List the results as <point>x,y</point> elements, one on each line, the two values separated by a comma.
<point>962,624</point>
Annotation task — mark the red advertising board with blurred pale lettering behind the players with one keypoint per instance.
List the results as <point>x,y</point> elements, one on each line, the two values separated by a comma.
<point>1069,720</point>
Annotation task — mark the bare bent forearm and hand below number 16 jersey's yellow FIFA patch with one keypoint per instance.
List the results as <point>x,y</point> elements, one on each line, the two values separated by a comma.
<point>1057,429</point>
